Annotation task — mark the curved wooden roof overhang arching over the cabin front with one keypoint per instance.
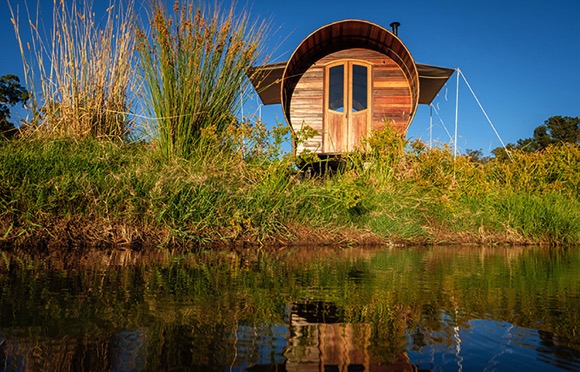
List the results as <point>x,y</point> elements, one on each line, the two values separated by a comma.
<point>344,35</point>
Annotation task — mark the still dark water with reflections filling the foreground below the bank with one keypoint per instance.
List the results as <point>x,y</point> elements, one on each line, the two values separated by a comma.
<point>307,309</point>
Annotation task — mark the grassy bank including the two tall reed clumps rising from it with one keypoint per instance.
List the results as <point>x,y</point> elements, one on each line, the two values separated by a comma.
<point>80,175</point>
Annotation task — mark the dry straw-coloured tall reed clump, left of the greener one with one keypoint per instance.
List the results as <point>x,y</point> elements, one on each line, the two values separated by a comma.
<point>80,70</point>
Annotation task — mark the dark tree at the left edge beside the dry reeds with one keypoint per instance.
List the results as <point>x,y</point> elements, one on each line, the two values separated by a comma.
<point>11,93</point>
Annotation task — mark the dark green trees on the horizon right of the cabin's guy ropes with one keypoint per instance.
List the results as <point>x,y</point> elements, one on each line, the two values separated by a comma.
<point>555,130</point>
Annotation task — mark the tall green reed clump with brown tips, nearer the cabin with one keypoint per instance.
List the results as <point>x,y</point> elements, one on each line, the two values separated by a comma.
<point>194,65</point>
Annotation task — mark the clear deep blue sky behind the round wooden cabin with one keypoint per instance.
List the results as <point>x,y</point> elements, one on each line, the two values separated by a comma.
<point>522,58</point>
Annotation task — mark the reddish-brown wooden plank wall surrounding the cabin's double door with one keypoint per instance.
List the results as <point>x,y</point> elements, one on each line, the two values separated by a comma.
<point>391,98</point>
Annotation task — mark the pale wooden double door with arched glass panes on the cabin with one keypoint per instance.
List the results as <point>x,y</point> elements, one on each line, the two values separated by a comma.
<point>347,106</point>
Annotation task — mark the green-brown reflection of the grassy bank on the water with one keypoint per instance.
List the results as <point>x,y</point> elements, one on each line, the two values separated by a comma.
<point>400,295</point>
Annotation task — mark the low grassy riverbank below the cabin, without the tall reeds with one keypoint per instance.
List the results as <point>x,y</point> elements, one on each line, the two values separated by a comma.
<point>87,193</point>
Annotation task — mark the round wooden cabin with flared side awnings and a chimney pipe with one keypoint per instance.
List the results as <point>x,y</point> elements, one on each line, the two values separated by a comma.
<point>345,80</point>
